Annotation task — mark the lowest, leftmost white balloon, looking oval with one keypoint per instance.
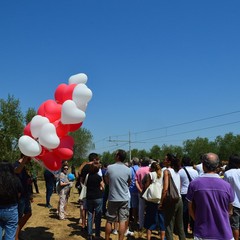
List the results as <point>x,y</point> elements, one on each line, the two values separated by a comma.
<point>28,146</point>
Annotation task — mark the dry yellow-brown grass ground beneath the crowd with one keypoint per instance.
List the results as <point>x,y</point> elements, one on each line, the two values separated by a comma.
<point>44,224</point>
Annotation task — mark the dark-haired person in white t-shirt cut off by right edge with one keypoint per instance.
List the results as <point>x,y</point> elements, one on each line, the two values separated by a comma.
<point>232,175</point>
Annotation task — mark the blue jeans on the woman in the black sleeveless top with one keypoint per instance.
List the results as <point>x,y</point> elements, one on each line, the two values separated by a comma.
<point>94,205</point>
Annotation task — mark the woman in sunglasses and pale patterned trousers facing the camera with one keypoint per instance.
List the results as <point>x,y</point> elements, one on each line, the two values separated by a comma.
<point>64,185</point>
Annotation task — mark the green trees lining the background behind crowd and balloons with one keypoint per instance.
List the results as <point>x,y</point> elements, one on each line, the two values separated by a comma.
<point>13,121</point>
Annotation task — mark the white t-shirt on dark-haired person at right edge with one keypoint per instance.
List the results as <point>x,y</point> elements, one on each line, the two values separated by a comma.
<point>233,177</point>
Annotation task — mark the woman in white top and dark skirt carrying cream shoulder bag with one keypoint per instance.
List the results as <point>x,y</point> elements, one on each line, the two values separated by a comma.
<point>154,218</point>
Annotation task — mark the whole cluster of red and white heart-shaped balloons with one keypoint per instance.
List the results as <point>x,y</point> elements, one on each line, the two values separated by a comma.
<point>46,136</point>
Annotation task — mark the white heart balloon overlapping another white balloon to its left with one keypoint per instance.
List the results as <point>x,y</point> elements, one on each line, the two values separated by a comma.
<point>48,136</point>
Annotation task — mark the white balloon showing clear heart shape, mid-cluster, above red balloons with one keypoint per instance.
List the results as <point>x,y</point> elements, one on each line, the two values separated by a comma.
<point>71,114</point>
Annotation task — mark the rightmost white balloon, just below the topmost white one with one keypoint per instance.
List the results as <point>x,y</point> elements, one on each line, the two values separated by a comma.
<point>81,95</point>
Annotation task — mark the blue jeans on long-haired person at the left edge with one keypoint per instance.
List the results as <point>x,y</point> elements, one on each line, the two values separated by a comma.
<point>8,221</point>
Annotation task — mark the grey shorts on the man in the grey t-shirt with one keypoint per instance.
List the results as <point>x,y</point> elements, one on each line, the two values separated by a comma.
<point>117,211</point>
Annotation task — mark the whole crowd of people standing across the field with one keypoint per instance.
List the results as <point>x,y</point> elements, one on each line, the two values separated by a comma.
<point>208,206</point>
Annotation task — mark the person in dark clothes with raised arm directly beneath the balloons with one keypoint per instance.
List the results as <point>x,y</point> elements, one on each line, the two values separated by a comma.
<point>24,204</point>
